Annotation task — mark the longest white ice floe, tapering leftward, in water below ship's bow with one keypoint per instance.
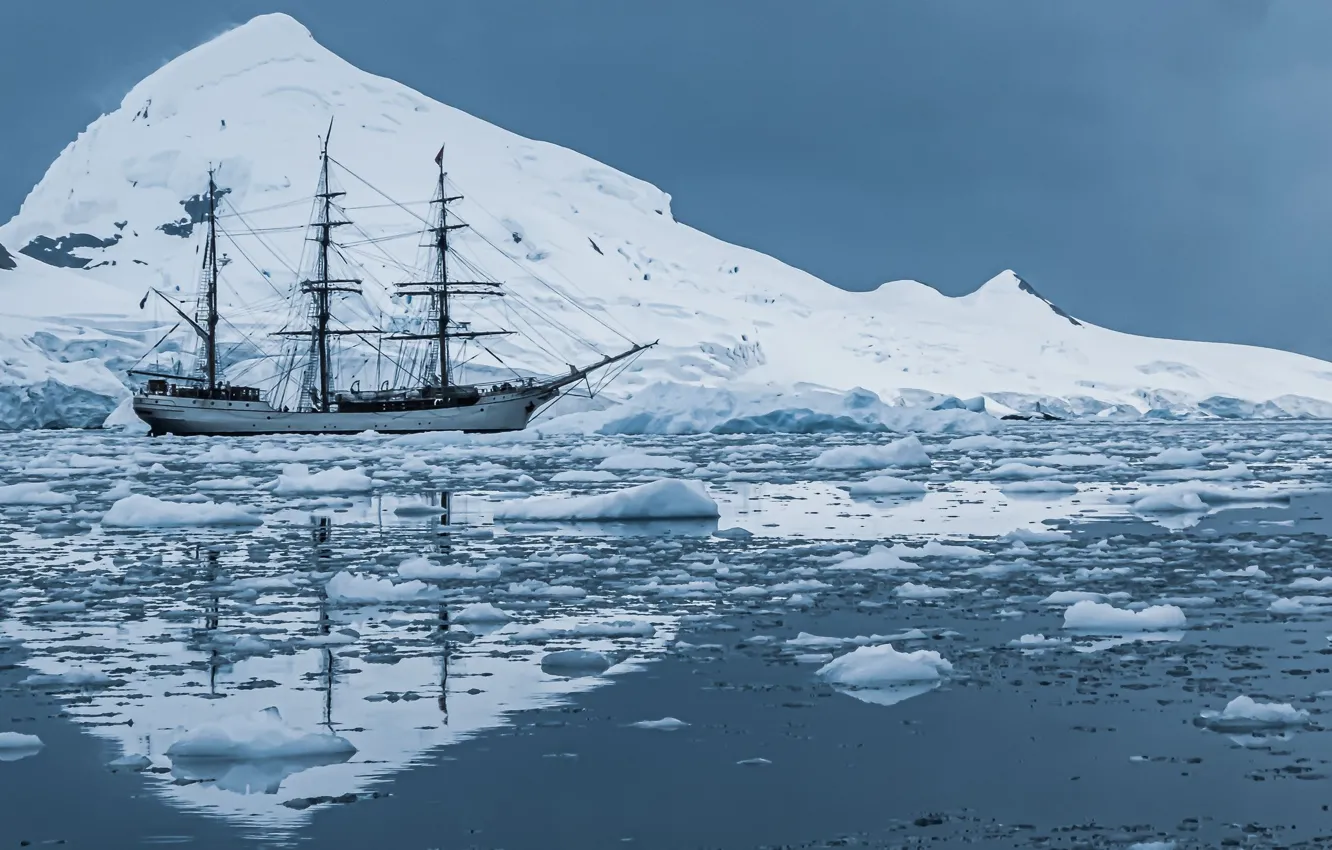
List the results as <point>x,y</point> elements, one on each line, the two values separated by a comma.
<point>668,499</point>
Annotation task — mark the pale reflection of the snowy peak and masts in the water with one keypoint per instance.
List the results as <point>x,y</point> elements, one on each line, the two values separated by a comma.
<point>232,631</point>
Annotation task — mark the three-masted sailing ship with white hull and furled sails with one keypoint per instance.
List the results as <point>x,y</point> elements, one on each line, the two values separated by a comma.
<point>428,398</point>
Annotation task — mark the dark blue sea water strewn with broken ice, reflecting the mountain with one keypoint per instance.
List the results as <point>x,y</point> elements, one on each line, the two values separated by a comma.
<point>467,736</point>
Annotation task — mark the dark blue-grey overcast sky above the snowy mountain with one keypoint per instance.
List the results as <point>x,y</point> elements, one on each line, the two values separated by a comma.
<point>1154,167</point>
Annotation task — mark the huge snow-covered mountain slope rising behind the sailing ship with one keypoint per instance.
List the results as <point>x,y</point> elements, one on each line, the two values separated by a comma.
<point>121,206</point>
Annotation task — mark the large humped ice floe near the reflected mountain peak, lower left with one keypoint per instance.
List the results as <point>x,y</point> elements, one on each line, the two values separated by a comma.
<point>252,737</point>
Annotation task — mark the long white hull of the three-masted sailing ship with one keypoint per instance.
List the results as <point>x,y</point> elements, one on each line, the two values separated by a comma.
<point>219,418</point>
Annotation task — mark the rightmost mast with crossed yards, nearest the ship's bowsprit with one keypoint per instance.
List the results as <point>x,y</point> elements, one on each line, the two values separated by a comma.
<point>440,288</point>
